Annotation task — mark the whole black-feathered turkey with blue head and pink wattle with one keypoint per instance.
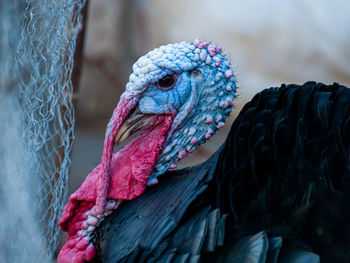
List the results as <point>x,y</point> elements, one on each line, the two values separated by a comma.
<point>275,191</point>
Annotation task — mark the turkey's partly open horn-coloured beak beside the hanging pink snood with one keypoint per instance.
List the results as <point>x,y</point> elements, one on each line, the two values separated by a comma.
<point>134,123</point>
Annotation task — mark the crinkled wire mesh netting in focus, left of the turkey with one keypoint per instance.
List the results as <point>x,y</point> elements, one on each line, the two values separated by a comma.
<point>44,64</point>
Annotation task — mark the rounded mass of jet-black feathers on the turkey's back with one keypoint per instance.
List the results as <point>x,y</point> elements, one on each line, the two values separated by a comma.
<point>290,175</point>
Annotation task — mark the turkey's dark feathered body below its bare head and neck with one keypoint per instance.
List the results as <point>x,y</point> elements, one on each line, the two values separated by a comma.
<point>278,190</point>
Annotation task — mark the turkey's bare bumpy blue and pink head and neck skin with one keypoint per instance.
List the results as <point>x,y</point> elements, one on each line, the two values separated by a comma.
<point>180,124</point>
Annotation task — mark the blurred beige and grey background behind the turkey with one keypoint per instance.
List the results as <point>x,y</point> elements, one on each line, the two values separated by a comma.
<point>269,42</point>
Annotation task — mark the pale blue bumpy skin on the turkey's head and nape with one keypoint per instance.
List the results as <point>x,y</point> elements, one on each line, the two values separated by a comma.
<point>201,96</point>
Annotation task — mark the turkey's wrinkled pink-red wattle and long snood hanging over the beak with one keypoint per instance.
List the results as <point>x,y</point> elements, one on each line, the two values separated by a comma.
<point>120,176</point>
